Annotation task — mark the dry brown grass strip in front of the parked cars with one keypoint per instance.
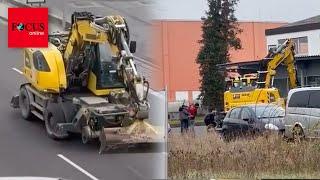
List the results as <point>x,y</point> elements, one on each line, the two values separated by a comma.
<point>265,156</point>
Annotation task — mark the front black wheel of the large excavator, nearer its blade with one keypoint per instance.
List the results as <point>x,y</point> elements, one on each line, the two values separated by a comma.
<point>52,116</point>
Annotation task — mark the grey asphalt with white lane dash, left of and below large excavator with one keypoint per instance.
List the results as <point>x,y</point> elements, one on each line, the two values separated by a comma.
<point>25,150</point>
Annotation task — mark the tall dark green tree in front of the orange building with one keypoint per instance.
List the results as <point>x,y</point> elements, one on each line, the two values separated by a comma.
<point>220,30</point>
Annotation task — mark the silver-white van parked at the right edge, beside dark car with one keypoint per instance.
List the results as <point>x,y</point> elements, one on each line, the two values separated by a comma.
<point>302,118</point>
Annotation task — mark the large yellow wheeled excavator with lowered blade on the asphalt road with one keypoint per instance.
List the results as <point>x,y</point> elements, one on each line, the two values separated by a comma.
<point>86,82</point>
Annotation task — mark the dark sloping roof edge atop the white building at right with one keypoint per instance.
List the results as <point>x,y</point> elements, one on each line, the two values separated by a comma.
<point>308,24</point>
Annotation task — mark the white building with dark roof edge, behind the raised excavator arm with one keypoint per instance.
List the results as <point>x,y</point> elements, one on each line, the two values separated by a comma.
<point>306,35</point>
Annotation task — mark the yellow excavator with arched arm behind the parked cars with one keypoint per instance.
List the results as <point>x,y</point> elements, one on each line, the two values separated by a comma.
<point>264,91</point>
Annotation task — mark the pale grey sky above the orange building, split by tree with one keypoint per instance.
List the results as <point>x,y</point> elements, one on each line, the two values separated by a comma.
<point>247,10</point>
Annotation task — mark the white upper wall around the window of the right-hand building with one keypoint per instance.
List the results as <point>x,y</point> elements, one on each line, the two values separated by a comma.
<point>313,40</point>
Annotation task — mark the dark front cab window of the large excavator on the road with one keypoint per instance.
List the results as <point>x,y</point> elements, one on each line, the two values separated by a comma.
<point>105,68</point>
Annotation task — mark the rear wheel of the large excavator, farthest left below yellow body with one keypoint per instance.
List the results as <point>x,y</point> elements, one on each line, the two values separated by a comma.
<point>24,104</point>
